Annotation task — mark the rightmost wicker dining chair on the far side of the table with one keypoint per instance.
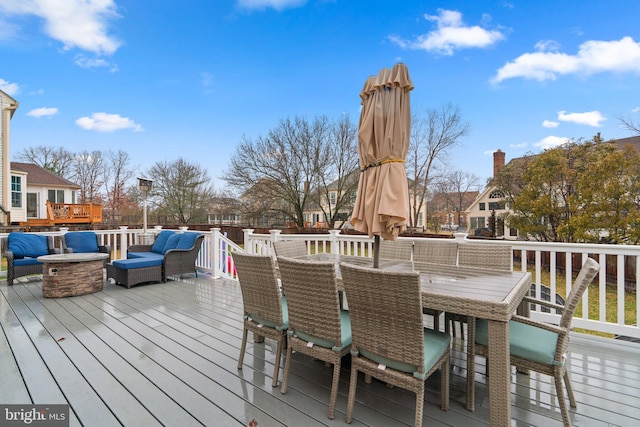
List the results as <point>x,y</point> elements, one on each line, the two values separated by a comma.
<point>480,255</point>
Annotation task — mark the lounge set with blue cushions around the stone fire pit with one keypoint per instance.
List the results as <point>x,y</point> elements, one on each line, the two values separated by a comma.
<point>78,270</point>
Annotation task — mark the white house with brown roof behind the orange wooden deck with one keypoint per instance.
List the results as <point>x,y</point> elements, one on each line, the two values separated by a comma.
<point>32,187</point>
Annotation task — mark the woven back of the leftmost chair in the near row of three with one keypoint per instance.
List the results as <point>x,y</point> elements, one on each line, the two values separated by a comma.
<point>259,285</point>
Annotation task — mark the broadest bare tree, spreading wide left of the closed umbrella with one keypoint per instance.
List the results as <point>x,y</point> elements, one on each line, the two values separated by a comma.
<point>286,163</point>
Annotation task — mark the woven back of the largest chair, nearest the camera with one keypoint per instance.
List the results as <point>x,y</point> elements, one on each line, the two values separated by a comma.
<point>386,313</point>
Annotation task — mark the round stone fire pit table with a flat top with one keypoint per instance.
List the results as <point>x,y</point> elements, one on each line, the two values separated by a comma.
<point>67,275</point>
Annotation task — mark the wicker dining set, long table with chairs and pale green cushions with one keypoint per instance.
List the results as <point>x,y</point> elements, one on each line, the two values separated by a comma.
<point>383,328</point>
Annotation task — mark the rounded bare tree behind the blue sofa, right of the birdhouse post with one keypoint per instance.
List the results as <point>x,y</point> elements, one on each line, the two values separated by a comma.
<point>181,191</point>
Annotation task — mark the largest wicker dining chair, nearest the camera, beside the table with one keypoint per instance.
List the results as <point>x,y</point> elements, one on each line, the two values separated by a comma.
<point>389,340</point>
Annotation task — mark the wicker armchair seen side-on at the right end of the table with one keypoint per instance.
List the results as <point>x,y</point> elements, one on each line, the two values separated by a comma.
<point>536,346</point>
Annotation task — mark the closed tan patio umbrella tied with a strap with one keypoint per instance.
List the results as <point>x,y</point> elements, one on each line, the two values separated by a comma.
<point>382,202</point>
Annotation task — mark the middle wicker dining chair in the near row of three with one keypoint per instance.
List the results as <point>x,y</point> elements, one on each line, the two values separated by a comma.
<point>317,325</point>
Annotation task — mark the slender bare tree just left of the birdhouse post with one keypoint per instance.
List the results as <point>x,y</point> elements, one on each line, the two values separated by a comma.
<point>117,174</point>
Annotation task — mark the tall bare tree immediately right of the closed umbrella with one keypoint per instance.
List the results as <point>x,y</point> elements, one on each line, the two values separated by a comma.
<point>431,136</point>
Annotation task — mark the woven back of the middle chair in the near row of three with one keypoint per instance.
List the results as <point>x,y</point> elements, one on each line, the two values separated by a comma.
<point>312,298</point>
